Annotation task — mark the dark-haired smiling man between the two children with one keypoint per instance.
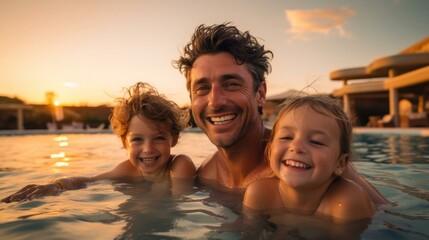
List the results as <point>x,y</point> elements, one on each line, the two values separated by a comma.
<point>225,71</point>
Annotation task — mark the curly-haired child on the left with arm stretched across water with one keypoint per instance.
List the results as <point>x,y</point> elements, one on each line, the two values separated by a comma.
<point>148,125</point>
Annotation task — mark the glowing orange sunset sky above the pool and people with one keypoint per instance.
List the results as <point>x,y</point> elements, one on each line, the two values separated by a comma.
<point>87,51</point>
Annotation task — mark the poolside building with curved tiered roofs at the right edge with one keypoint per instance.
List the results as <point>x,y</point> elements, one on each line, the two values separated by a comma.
<point>389,91</point>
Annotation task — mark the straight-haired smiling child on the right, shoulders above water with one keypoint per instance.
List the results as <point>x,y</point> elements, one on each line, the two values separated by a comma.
<point>308,151</point>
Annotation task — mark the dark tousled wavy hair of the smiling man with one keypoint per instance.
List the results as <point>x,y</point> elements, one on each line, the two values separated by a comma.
<point>226,38</point>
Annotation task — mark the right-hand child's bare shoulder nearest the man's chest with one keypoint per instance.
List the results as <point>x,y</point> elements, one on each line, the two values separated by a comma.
<point>262,194</point>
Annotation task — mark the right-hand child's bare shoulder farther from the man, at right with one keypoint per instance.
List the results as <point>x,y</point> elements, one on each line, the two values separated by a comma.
<point>347,201</point>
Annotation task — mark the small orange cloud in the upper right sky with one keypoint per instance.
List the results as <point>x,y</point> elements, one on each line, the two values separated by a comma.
<point>319,21</point>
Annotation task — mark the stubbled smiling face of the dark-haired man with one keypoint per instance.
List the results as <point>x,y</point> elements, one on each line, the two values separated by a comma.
<point>224,104</point>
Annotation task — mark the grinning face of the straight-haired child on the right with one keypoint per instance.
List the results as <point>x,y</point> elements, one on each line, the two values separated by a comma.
<point>305,151</point>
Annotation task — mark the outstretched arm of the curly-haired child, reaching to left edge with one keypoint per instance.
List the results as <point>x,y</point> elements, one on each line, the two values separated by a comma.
<point>57,186</point>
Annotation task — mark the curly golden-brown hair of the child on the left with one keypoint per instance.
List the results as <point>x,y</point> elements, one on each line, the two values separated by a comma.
<point>143,100</point>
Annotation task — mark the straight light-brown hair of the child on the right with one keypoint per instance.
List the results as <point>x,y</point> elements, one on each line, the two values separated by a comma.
<point>325,105</point>
